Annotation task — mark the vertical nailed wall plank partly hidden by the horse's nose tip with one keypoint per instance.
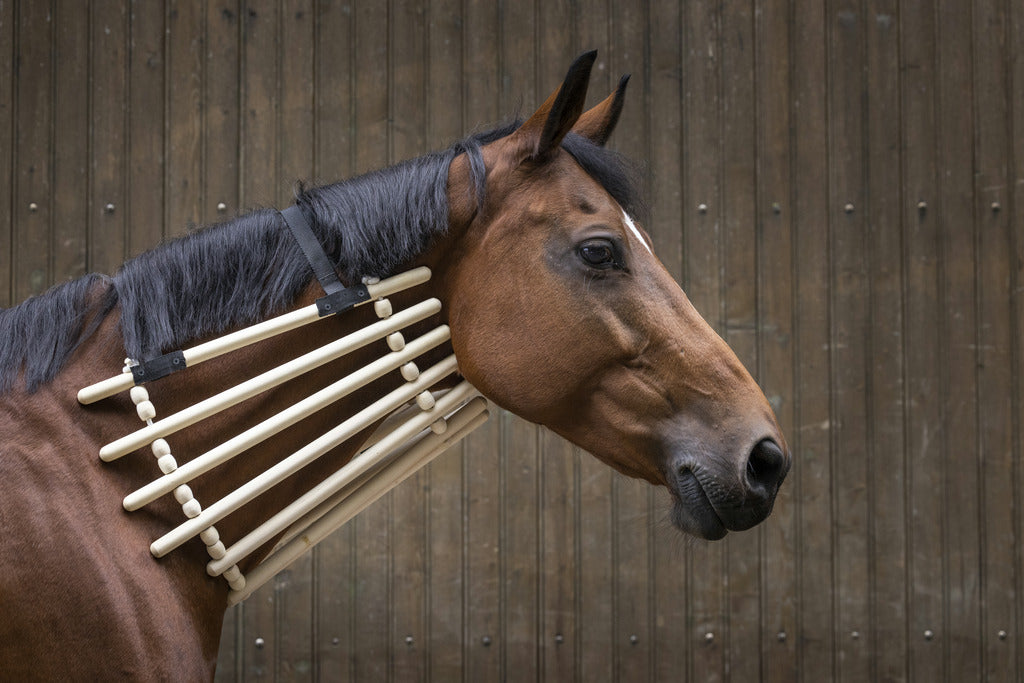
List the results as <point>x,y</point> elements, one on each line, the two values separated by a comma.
<point>776,330</point>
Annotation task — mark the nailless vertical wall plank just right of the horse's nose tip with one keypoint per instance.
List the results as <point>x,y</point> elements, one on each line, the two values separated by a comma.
<point>814,472</point>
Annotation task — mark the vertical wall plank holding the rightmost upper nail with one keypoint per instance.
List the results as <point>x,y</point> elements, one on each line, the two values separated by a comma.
<point>996,528</point>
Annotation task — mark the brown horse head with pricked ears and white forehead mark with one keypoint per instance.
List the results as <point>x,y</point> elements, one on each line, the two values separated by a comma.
<point>582,329</point>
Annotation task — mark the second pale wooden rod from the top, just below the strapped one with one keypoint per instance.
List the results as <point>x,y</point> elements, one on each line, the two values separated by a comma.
<point>272,378</point>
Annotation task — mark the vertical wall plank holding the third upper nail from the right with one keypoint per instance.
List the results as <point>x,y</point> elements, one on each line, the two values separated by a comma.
<point>848,333</point>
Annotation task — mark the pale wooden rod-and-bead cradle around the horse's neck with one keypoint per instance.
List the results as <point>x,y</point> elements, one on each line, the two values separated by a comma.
<point>415,428</point>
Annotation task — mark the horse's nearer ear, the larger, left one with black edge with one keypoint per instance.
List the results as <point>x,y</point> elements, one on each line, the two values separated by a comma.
<point>544,132</point>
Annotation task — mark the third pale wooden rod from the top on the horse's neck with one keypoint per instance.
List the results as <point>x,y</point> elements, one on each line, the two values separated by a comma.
<point>259,434</point>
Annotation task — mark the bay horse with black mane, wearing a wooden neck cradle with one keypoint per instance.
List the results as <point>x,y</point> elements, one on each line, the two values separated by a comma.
<point>559,311</point>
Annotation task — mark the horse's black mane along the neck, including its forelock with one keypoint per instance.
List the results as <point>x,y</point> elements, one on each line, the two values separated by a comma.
<point>244,271</point>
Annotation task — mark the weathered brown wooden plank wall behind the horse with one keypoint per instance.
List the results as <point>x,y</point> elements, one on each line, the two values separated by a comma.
<point>840,188</point>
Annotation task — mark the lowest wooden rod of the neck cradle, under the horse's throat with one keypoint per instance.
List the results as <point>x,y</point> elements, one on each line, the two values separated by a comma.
<point>335,519</point>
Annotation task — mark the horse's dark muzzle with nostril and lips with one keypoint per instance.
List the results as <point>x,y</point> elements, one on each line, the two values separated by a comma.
<point>713,497</point>
